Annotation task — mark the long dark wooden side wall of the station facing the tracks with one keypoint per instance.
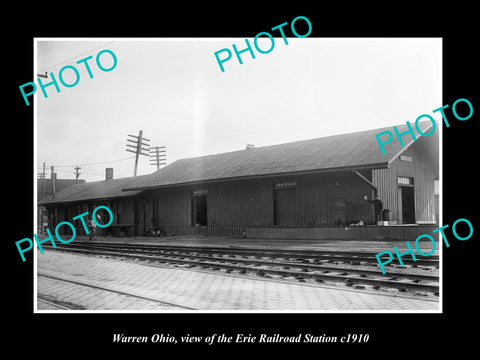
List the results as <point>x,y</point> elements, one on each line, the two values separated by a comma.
<point>250,202</point>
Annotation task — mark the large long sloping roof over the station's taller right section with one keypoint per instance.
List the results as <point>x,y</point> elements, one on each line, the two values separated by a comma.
<point>338,152</point>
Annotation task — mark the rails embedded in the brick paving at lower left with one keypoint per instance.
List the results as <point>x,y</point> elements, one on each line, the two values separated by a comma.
<point>63,306</point>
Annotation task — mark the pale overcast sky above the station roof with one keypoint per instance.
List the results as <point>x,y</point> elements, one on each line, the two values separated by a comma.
<point>174,91</point>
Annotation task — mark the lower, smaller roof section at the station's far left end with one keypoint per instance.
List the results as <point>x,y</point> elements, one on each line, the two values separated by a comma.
<point>96,190</point>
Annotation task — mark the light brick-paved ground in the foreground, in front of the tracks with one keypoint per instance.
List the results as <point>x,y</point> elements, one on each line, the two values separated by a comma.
<point>200,291</point>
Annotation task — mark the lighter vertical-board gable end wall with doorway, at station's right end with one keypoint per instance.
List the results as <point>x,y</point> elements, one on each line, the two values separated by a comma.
<point>423,172</point>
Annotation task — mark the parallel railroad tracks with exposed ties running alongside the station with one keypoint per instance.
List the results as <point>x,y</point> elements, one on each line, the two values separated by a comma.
<point>353,269</point>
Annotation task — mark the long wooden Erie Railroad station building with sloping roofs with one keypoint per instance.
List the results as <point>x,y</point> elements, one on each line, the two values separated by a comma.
<point>310,189</point>
